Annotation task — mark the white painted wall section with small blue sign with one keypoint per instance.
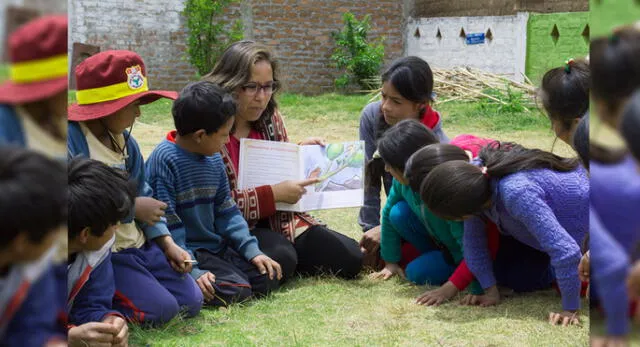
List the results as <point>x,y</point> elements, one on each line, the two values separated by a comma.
<point>505,54</point>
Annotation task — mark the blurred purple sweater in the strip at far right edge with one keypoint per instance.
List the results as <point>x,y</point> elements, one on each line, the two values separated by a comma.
<point>615,202</point>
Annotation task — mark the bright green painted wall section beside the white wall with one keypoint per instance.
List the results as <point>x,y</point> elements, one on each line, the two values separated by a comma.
<point>544,51</point>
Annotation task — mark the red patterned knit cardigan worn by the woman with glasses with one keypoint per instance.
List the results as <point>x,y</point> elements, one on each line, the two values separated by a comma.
<point>258,203</point>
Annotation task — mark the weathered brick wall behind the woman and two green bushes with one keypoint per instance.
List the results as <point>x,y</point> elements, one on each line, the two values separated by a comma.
<point>298,30</point>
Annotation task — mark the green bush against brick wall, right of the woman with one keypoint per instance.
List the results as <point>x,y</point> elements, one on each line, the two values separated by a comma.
<point>360,59</point>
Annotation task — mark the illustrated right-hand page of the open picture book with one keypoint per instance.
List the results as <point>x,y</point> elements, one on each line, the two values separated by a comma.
<point>341,168</point>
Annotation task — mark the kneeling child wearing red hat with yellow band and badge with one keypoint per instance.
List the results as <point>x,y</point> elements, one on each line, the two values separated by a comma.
<point>149,268</point>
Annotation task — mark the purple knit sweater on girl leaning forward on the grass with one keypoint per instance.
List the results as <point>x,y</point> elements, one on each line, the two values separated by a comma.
<point>545,209</point>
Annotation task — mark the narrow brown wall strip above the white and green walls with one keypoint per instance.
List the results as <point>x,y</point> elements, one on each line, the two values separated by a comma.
<point>461,8</point>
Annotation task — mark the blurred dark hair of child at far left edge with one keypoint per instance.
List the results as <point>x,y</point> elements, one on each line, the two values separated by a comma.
<point>33,192</point>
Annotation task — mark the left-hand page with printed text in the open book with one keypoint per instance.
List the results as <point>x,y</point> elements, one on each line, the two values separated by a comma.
<point>267,163</point>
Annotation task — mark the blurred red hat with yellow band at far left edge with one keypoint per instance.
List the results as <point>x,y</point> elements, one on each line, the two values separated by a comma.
<point>39,60</point>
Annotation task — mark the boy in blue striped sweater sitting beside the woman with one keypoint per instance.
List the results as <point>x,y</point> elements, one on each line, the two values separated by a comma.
<point>187,173</point>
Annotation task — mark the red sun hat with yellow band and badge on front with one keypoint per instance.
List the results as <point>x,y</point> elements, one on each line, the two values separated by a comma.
<point>108,82</point>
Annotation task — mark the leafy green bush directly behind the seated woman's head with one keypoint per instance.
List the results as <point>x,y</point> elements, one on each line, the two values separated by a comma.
<point>207,35</point>
